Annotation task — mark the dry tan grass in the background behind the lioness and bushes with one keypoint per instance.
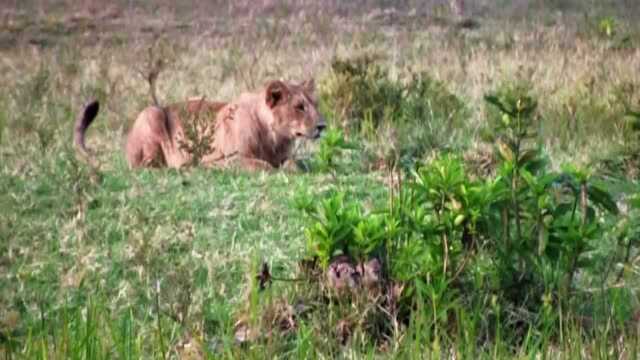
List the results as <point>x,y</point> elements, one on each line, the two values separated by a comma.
<point>239,47</point>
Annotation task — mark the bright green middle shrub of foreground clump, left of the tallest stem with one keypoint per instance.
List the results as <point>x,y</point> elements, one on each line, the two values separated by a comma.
<point>438,216</point>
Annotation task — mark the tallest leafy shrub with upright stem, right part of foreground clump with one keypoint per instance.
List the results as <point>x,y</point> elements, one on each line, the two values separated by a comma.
<point>549,219</point>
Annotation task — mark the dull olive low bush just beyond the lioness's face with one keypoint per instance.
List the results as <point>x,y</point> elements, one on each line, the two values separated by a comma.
<point>361,97</point>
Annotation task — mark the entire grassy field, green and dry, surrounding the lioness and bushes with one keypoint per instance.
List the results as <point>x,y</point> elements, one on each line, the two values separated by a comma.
<point>163,263</point>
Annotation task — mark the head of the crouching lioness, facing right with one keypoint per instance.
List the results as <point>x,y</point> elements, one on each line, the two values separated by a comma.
<point>294,109</point>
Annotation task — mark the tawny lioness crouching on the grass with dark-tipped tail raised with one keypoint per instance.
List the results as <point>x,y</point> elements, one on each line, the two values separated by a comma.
<point>256,131</point>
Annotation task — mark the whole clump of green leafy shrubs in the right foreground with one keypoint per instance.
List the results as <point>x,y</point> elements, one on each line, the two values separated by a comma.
<point>512,244</point>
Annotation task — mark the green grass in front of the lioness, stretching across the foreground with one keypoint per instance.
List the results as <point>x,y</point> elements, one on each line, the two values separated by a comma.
<point>139,264</point>
